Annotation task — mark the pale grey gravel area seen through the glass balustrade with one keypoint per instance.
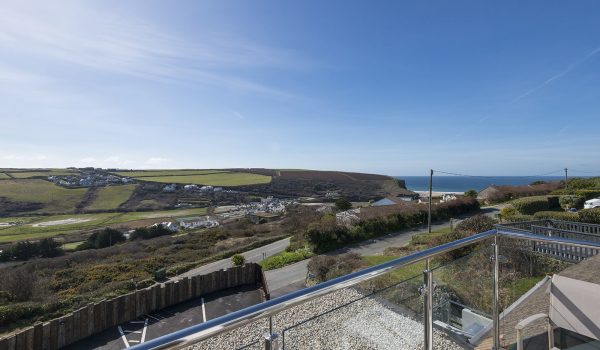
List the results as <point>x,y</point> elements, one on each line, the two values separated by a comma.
<point>363,324</point>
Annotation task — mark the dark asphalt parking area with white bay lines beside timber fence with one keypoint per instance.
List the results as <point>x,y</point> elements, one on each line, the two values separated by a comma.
<point>172,319</point>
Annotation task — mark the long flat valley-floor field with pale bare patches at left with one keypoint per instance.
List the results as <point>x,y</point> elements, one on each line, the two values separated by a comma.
<point>82,222</point>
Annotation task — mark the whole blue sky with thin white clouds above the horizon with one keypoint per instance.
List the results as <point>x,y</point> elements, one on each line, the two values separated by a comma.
<point>393,87</point>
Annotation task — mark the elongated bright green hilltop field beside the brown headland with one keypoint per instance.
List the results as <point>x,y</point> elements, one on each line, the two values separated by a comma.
<point>219,179</point>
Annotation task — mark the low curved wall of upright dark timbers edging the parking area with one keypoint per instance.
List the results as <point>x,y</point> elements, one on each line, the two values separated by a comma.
<point>95,318</point>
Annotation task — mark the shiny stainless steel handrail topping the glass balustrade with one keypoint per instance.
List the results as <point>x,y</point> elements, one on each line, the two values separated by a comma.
<point>234,320</point>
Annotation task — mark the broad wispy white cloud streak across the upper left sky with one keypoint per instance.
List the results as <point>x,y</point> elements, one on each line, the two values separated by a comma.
<point>116,44</point>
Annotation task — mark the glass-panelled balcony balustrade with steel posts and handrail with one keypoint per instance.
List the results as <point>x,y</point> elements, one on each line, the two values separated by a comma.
<point>369,309</point>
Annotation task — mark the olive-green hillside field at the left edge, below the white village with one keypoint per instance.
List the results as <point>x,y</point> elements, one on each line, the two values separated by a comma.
<point>55,199</point>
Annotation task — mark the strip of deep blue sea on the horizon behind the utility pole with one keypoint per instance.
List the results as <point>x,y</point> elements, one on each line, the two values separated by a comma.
<point>464,183</point>
